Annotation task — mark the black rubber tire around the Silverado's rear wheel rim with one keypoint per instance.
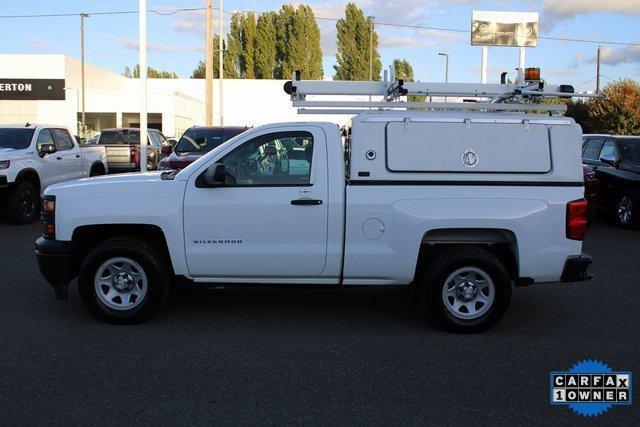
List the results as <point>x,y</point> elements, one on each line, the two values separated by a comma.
<point>430,290</point>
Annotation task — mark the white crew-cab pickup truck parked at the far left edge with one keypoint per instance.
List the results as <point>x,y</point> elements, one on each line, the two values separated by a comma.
<point>32,157</point>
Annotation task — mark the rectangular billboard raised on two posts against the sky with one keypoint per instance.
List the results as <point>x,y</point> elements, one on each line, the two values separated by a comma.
<point>517,29</point>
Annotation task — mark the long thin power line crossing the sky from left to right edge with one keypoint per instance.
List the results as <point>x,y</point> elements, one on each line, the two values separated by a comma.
<point>384,24</point>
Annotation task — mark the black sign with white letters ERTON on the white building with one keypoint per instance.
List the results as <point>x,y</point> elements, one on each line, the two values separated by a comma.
<point>32,89</point>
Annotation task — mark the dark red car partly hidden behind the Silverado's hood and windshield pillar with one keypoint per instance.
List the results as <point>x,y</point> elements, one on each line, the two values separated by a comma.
<point>196,142</point>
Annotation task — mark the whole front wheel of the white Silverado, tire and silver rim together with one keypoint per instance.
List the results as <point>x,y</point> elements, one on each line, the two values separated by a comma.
<point>124,280</point>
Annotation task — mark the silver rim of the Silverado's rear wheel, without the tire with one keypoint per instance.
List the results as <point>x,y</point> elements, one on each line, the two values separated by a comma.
<point>468,293</point>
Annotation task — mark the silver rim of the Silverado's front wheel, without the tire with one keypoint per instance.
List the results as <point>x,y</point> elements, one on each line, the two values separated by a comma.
<point>121,283</point>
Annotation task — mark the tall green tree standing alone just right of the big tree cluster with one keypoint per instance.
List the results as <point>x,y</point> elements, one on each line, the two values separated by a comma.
<point>357,39</point>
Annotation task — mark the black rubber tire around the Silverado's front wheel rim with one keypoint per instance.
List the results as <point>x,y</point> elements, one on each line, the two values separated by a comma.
<point>145,255</point>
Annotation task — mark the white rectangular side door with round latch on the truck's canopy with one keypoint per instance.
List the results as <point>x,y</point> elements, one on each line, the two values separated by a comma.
<point>468,147</point>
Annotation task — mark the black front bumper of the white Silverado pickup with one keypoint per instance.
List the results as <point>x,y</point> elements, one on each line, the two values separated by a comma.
<point>55,263</point>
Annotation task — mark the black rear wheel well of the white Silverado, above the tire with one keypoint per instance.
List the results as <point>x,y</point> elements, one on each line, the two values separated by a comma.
<point>500,242</point>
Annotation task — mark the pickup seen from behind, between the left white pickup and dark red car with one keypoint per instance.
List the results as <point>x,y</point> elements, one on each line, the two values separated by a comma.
<point>123,148</point>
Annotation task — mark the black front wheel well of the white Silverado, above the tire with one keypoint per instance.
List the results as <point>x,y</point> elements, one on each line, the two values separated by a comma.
<point>86,237</point>
